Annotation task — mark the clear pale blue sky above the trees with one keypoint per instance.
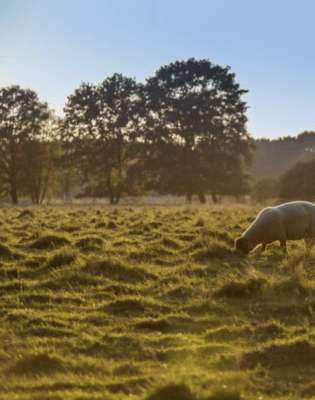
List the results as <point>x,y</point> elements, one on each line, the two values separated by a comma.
<point>50,46</point>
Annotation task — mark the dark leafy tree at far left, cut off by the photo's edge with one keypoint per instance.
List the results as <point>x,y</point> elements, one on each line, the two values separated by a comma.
<point>22,116</point>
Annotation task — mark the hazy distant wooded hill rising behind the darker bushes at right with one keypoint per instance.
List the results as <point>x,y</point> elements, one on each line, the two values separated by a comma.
<point>273,157</point>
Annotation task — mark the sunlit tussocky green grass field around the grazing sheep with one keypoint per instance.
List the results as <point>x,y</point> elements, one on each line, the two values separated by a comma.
<point>151,303</point>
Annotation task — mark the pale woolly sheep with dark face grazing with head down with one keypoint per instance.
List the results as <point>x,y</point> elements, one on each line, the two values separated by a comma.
<point>289,221</point>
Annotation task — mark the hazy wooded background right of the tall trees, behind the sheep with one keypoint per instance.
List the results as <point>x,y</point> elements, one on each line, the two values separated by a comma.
<point>294,170</point>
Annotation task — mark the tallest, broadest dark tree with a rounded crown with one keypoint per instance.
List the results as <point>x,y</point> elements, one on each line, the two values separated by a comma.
<point>194,126</point>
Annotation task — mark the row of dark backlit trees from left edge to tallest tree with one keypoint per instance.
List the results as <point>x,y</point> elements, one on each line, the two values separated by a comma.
<point>182,132</point>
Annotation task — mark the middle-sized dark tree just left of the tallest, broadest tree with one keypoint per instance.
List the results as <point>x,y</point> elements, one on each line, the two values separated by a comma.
<point>99,125</point>
